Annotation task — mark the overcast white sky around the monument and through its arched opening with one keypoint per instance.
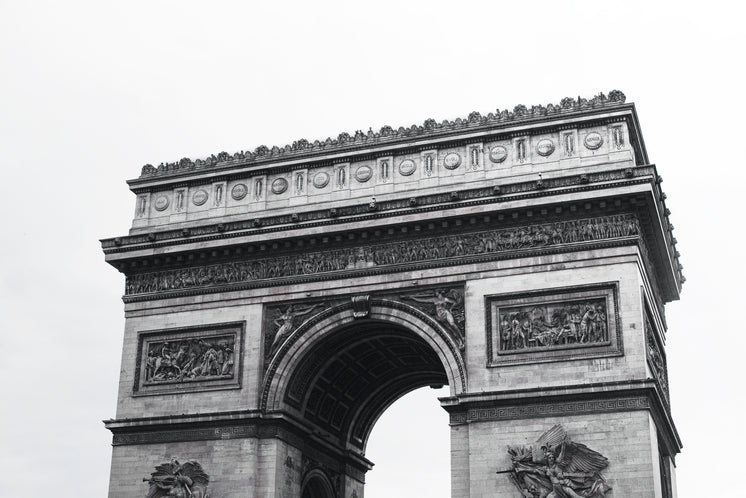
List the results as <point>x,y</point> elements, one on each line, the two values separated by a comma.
<point>91,91</point>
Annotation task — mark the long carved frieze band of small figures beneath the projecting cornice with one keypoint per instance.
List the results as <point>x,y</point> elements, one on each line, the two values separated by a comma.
<point>353,258</point>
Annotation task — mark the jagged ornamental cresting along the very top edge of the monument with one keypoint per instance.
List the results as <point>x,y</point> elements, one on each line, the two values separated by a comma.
<point>386,135</point>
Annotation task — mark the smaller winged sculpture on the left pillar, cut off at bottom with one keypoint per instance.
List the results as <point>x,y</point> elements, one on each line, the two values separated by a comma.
<point>175,480</point>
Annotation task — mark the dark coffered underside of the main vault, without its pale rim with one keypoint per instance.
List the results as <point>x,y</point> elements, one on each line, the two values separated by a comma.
<point>348,379</point>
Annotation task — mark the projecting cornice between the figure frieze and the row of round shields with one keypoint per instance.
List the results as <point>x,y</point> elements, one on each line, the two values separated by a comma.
<point>117,249</point>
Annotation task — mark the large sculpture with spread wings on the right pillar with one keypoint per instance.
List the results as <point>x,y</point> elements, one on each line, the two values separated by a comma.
<point>556,467</point>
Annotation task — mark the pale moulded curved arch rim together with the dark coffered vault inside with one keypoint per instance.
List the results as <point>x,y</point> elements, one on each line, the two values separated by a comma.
<point>339,373</point>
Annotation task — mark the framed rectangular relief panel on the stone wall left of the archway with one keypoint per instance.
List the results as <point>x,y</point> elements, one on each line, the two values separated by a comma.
<point>189,359</point>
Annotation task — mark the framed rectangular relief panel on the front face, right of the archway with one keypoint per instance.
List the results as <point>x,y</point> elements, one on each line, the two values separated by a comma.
<point>553,325</point>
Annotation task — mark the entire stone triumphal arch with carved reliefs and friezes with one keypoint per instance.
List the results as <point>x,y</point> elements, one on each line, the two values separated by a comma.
<point>278,301</point>
